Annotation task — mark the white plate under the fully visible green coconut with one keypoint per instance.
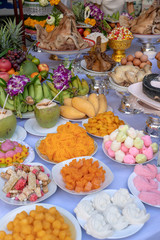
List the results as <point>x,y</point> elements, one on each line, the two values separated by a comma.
<point>30,130</point>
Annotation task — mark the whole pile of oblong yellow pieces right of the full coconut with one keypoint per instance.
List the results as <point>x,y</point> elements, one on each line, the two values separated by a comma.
<point>84,107</point>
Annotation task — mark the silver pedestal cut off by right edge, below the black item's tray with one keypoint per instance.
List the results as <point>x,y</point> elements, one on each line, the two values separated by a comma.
<point>152,127</point>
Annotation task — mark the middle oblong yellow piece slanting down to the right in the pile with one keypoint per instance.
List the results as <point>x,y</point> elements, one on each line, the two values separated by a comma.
<point>83,106</point>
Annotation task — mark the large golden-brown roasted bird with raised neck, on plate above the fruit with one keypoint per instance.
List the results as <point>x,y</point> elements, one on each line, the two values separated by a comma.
<point>63,37</point>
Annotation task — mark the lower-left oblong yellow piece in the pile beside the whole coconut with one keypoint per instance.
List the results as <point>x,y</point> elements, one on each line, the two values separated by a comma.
<point>70,112</point>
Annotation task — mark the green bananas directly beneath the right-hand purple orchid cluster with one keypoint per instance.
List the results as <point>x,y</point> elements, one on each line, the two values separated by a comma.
<point>76,88</point>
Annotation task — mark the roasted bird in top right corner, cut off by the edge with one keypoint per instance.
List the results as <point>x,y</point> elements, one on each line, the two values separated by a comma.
<point>148,22</point>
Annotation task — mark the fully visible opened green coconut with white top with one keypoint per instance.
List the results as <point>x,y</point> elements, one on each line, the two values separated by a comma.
<point>46,114</point>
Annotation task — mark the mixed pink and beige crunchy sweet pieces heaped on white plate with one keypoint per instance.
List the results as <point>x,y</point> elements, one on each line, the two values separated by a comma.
<point>24,182</point>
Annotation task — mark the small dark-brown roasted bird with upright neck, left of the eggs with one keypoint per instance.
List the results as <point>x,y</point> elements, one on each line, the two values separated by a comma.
<point>98,61</point>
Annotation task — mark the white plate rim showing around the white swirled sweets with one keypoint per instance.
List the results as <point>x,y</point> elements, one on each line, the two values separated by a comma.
<point>111,192</point>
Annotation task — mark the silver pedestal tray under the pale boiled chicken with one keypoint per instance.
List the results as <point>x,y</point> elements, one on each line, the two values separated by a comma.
<point>125,106</point>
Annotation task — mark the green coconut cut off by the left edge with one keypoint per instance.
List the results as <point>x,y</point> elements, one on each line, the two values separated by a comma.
<point>8,124</point>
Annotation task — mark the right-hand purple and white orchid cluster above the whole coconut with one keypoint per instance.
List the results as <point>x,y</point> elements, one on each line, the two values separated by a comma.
<point>61,77</point>
